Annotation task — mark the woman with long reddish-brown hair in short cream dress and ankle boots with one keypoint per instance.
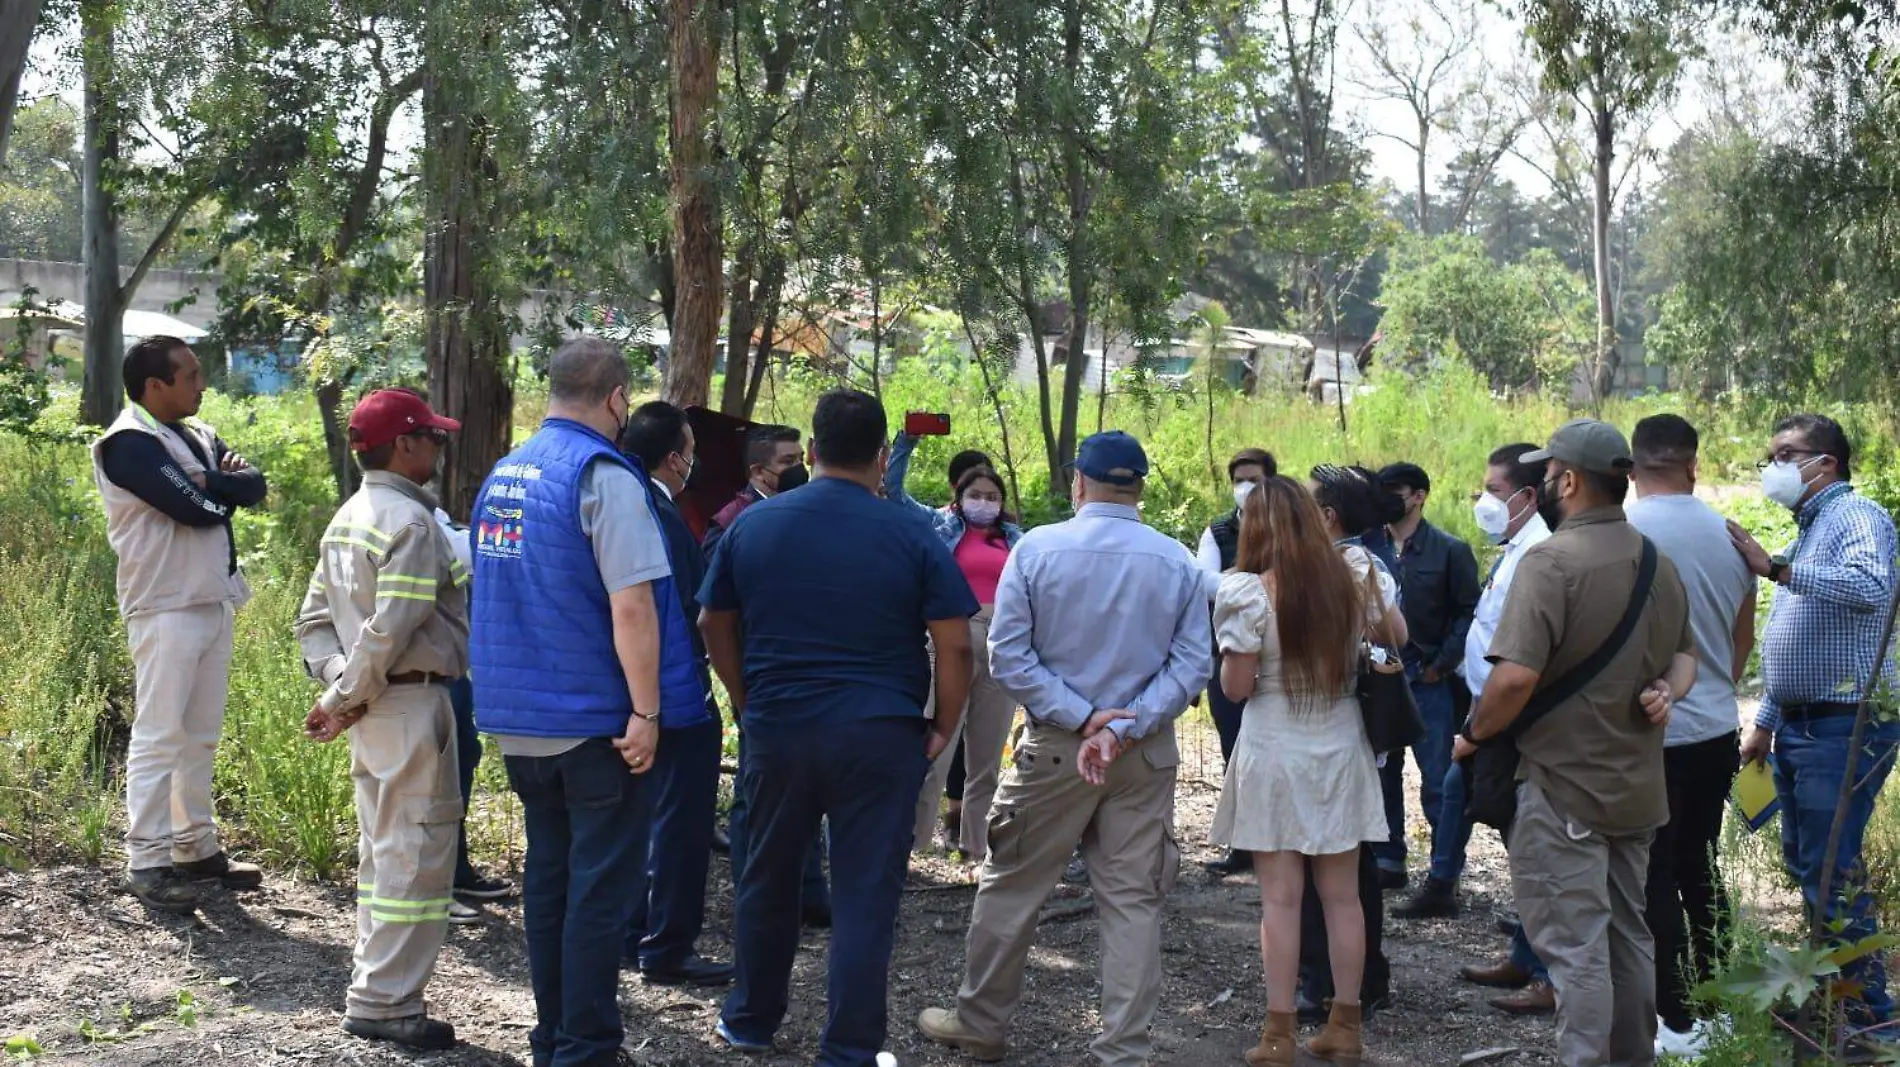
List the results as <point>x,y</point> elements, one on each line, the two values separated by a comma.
<point>1302,785</point>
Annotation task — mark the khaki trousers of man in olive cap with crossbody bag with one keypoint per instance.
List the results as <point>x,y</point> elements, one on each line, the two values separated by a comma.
<point>1582,899</point>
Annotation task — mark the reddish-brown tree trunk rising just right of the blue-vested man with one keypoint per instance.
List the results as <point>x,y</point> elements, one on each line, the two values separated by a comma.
<point>696,221</point>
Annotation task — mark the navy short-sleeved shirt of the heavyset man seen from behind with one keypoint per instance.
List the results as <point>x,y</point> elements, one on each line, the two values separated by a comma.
<point>833,590</point>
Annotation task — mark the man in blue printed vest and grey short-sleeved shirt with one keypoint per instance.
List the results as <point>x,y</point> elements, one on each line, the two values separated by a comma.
<point>579,648</point>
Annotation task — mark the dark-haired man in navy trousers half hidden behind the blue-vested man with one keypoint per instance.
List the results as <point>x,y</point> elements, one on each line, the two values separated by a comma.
<point>670,912</point>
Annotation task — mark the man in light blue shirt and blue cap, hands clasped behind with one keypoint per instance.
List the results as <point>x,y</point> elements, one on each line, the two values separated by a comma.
<point>1103,633</point>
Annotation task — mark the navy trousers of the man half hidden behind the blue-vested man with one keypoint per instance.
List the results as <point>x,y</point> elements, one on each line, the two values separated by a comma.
<point>670,905</point>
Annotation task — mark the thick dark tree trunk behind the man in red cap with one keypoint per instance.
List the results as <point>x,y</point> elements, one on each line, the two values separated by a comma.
<point>466,326</point>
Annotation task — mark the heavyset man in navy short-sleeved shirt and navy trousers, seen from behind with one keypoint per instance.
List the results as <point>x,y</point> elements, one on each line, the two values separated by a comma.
<point>814,612</point>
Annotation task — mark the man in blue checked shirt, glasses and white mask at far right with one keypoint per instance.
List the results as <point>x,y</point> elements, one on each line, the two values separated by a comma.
<point>1834,590</point>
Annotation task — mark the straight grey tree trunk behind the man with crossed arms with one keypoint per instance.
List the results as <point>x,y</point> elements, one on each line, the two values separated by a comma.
<point>100,400</point>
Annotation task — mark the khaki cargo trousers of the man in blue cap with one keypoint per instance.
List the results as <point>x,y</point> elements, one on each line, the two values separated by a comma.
<point>1128,834</point>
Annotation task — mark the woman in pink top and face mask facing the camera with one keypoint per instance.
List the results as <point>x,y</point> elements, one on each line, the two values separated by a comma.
<point>979,533</point>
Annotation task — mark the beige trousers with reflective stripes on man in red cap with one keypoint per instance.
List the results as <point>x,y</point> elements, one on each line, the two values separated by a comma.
<point>409,810</point>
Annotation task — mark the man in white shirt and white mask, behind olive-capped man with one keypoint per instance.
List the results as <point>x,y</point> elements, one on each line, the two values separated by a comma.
<point>1508,512</point>
